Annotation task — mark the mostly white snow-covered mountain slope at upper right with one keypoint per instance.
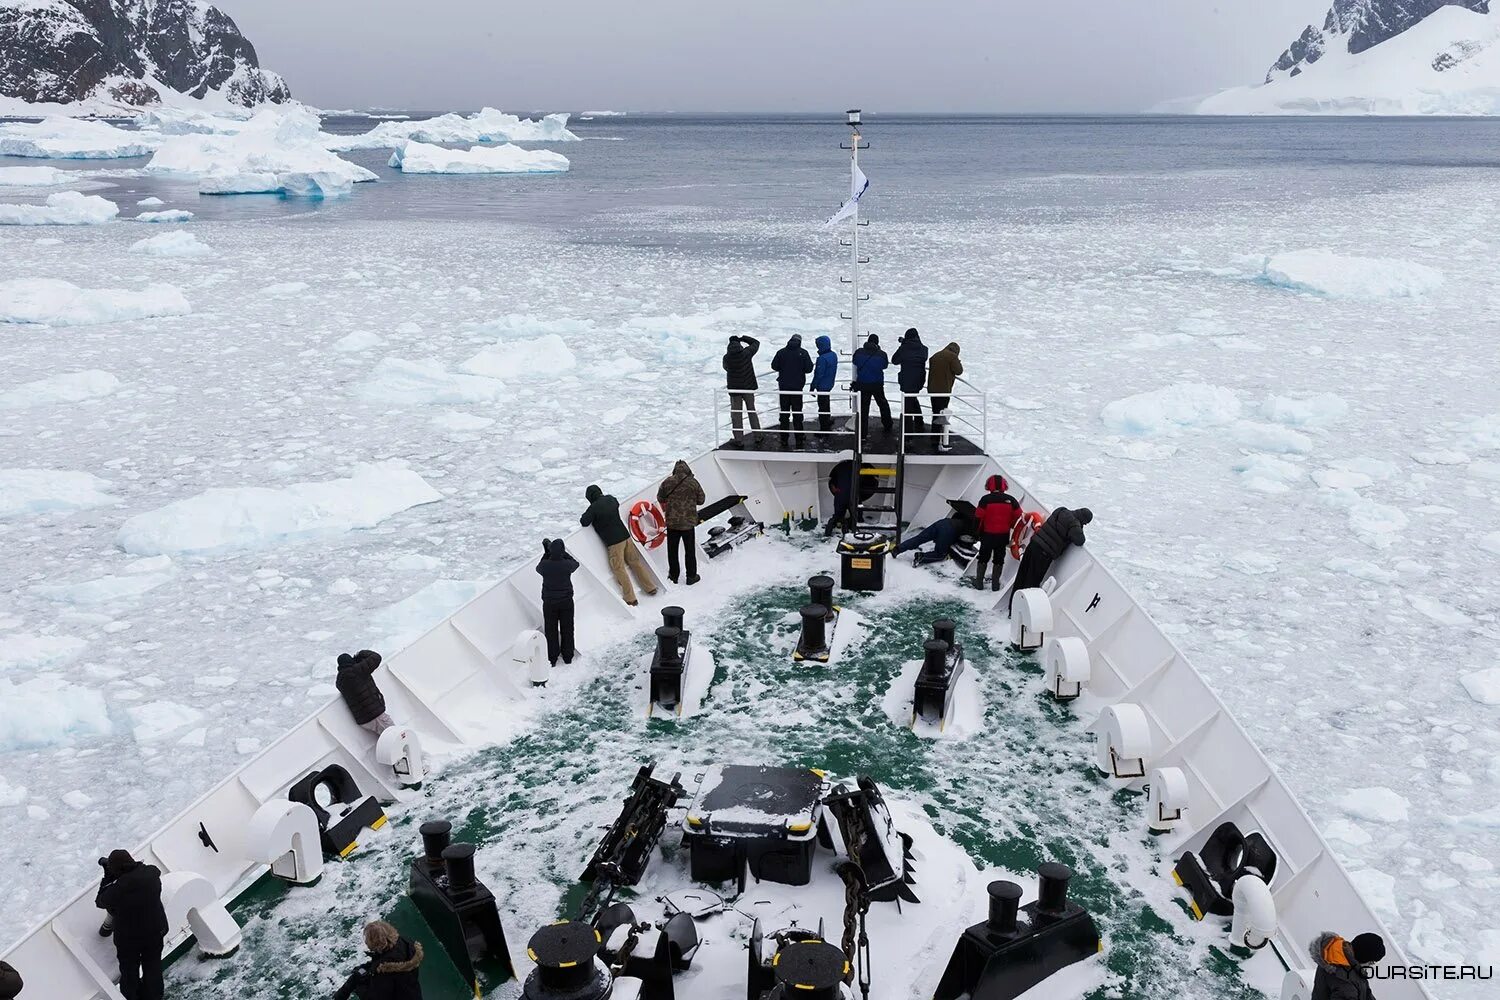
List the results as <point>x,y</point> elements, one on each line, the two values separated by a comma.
<point>1382,58</point>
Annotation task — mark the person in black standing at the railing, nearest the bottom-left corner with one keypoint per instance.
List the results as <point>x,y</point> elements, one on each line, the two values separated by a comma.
<point>131,894</point>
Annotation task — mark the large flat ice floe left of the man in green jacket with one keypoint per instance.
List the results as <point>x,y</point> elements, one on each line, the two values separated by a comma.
<point>254,516</point>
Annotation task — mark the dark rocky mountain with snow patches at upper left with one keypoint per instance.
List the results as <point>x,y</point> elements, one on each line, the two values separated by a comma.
<point>131,53</point>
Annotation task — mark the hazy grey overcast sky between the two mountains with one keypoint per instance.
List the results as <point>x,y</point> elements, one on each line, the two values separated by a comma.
<point>769,55</point>
